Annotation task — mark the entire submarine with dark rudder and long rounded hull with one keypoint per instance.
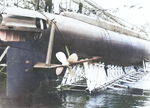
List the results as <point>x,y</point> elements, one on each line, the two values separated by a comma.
<point>28,34</point>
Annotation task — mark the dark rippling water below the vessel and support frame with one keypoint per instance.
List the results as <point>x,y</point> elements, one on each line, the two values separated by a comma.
<point>46,97</point>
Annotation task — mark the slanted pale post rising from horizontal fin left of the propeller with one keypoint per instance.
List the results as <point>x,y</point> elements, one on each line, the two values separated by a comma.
<point>50,44</point>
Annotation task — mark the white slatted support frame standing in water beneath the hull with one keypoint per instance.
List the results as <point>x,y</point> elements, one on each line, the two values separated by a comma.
<point>95,77</point>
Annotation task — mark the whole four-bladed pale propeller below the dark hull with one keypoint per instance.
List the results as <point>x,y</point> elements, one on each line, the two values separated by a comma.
<point>66,62</point>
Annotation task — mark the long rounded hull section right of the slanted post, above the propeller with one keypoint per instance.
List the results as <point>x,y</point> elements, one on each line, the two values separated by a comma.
<point>87,41</point>
